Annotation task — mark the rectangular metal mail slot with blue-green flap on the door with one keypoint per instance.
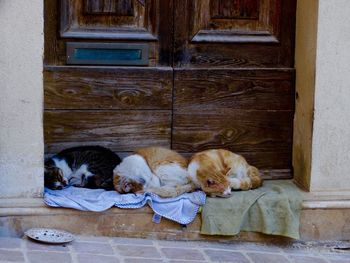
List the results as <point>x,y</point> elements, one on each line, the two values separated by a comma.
<point>82,53</point>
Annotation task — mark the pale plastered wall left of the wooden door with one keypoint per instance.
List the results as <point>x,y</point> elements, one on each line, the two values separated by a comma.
<point>21,98</point>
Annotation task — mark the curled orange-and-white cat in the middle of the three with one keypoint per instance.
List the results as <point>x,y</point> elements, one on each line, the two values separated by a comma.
<point>153,169</point>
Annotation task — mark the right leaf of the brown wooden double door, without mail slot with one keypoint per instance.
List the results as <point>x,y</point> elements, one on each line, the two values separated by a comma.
<point>234,79</point>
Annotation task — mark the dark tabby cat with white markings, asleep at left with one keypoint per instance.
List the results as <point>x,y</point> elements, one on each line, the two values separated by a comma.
<point>83,166</point>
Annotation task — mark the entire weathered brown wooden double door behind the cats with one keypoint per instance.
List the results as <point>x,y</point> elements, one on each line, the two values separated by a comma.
<point>186,74</point>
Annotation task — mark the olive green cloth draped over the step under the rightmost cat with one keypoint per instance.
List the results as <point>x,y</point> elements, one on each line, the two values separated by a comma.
<point>272,209</point>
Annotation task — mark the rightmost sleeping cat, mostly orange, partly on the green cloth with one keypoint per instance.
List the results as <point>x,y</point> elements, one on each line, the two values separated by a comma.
<point>219,171</point>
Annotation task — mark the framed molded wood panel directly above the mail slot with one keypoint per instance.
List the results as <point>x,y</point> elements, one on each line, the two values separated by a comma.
<point>134,22</point>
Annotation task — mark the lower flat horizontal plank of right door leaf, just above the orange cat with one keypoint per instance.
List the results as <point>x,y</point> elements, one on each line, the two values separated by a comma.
<point>237,130</point>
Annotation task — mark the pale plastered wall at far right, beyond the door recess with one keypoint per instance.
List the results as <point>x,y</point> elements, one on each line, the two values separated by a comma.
<point>330,170</point>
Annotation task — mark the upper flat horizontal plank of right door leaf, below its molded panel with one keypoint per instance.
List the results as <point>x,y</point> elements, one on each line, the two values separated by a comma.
<point>234,89</point>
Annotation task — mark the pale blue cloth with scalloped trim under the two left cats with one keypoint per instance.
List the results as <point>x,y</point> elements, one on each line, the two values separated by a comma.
<point>181,209</point>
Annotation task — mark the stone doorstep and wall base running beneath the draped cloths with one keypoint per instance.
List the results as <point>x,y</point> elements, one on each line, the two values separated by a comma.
<point>323,217</point>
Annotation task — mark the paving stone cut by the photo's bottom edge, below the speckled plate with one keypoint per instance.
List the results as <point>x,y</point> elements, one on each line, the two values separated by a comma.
<point>48,257</point>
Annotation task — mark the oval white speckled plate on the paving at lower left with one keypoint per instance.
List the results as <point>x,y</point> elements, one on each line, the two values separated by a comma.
<point>49,235</point>
